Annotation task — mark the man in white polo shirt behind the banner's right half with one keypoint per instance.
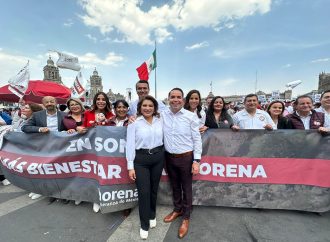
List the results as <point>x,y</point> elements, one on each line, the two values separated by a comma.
<point>251,117</point>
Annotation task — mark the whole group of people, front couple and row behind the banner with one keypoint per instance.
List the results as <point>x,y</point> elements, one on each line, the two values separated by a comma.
<point>160,136</point>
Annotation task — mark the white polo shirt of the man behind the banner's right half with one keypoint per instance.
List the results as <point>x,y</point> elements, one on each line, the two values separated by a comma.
<point>246,121</point>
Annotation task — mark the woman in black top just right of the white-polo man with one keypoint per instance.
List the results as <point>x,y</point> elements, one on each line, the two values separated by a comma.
<point>275,109</point>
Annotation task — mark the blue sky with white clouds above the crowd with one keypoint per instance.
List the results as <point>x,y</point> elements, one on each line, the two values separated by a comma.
<point>225,42</point>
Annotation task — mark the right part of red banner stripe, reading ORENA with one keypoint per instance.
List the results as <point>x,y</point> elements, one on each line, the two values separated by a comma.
<point>302,171</point>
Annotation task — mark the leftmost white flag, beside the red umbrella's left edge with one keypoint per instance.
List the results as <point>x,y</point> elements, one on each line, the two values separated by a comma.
<point>19,83</point>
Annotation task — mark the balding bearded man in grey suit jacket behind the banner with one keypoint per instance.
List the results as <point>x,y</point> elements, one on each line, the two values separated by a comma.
<point>46,120</point>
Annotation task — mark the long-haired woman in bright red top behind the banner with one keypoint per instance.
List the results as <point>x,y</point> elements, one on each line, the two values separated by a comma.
<point>101,104</point>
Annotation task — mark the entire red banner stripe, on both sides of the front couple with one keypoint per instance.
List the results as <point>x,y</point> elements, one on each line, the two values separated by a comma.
<point>113,170</point>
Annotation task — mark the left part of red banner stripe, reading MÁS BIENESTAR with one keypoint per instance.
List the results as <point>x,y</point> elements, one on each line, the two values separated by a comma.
<point>106,170</point>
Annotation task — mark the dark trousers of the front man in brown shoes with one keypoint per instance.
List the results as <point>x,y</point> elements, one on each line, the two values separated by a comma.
<point>179,173</point>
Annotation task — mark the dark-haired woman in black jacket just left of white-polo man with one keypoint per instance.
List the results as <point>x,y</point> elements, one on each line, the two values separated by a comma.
<point>217,116</point>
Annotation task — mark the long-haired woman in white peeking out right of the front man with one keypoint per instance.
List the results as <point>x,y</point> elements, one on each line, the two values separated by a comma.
<point>193,104</point>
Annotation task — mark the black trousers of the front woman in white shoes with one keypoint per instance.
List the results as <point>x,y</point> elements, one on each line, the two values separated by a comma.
<point>148,170</point>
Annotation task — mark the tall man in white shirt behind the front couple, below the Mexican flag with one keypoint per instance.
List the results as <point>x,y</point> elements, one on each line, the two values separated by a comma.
<point>142,90</point>
